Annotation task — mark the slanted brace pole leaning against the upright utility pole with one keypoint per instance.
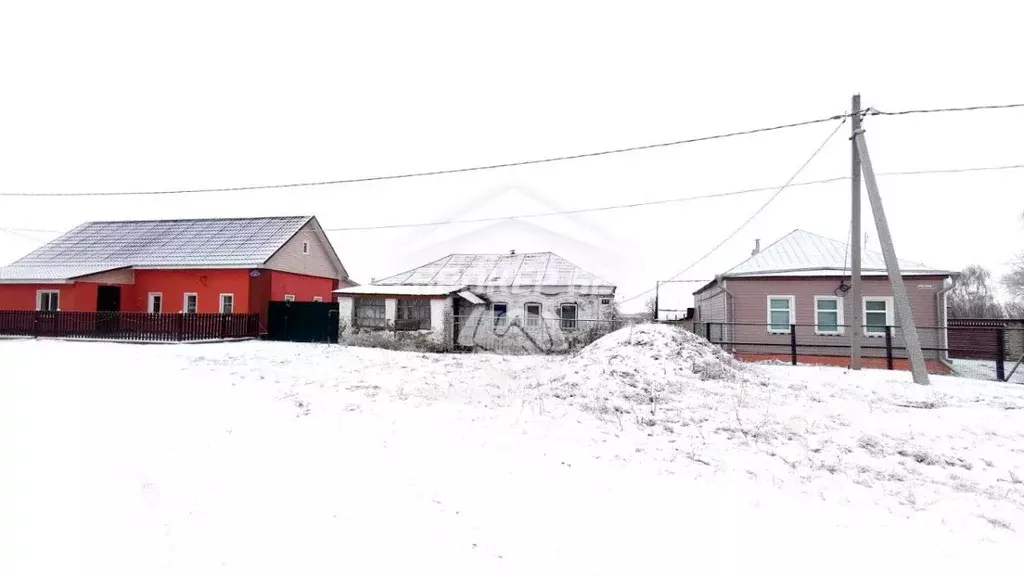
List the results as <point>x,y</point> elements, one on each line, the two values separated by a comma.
<point>904,313</point>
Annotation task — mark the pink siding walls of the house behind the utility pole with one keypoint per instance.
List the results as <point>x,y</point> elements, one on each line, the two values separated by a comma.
<point>750,306</point>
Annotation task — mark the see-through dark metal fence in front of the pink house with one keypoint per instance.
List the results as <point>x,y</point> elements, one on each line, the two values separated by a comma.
<point>988,353</point>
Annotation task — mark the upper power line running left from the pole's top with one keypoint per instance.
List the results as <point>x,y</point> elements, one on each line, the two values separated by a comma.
<point>438,173</point>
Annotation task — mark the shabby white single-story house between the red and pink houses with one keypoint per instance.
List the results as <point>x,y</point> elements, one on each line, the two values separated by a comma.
<point>483,302</point>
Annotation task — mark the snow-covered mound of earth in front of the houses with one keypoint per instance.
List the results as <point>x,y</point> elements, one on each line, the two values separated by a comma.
<point>648,374</point>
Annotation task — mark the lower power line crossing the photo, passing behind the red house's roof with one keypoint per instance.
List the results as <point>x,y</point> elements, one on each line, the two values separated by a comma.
<point>634,204</point>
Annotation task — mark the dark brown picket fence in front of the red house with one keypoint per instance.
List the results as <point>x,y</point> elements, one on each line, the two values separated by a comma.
<point>130,326</point>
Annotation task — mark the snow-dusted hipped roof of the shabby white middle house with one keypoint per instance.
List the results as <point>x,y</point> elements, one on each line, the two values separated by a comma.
<point>539,269</point>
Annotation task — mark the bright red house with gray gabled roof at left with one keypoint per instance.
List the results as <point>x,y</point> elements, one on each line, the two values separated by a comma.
<point>178,267</point>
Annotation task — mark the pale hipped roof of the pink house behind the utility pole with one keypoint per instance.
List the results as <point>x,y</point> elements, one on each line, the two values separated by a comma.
<point>803,254</point>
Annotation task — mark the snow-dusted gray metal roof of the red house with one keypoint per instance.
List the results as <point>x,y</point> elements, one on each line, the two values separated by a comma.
<point>202,243</point>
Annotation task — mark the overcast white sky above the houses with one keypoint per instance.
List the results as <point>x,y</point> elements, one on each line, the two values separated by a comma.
<point>106,97</point>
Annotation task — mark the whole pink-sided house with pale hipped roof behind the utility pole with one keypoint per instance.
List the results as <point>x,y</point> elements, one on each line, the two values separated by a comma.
<point>803,280</point>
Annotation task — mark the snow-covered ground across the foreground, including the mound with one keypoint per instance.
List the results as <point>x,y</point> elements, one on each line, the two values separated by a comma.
<point>649,452</point>
